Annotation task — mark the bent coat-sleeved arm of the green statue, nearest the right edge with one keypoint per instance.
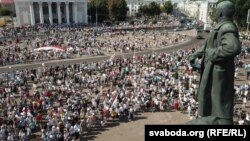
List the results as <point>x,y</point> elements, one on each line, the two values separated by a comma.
<point>229,48</point>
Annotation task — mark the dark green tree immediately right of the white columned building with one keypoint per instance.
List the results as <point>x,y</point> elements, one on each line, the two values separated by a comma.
<point>98,8</point>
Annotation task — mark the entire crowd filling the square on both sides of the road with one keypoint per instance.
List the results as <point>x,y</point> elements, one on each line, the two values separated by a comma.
<point>64,102</point>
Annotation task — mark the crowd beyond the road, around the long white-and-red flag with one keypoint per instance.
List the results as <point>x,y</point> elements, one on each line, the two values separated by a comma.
<point>25,44</point>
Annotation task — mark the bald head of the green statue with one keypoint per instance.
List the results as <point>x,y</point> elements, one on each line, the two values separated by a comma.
<point>225,9</point>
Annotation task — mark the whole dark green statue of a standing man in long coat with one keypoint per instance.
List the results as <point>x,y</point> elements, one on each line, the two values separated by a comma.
<point>216,90</point>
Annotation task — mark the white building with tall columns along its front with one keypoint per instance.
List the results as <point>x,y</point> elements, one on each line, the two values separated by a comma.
<point>32,12</point>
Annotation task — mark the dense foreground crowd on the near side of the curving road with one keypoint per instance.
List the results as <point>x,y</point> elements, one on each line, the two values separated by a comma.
<point>63,102</point>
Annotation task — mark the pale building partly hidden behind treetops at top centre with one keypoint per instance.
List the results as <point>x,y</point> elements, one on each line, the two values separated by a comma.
<point>133,5</point>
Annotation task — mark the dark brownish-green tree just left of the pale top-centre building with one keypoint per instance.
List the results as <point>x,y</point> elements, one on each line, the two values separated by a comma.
<point>117,9</point>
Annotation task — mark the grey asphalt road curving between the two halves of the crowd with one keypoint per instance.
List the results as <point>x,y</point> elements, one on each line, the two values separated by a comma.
<point>188,44</point>
